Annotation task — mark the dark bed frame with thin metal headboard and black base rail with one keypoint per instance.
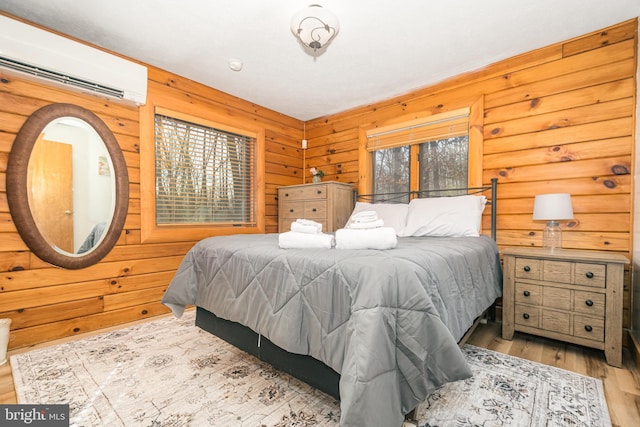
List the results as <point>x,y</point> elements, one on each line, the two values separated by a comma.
<point>306,368</point>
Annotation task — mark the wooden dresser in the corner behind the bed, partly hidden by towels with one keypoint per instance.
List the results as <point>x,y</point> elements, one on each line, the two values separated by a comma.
<point>329,203</point>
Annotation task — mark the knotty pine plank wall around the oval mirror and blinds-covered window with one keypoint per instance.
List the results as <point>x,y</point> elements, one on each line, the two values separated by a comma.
<point>47,303</point>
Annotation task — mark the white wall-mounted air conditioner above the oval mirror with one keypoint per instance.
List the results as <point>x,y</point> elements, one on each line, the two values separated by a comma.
<point>38,54</point>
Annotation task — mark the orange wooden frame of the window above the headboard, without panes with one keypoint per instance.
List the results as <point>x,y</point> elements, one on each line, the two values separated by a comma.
<point>476,140</point>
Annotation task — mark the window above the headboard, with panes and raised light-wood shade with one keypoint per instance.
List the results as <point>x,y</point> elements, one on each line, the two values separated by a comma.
<point>430,153</point>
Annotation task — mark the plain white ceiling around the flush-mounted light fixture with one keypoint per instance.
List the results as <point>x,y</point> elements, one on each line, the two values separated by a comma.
<point>383,49</point>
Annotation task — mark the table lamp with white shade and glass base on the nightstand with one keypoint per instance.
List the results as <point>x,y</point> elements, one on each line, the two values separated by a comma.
<point>552,207</point>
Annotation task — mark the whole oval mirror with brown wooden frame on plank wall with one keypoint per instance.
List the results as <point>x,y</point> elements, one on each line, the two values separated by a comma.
<point>67,186</point>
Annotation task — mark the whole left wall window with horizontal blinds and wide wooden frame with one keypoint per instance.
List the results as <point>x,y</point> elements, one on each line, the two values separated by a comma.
<point>200,175</point>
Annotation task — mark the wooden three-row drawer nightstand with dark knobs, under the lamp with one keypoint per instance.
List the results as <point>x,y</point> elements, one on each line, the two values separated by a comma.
<point>569,295</point>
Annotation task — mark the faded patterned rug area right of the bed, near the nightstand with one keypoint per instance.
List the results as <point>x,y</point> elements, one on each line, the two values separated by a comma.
<point>509,391</point>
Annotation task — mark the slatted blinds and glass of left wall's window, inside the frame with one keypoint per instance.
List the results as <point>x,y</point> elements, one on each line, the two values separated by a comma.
<point>204,175</point>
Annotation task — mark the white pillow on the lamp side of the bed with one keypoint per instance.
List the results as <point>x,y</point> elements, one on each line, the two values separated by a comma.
<point>455,216</point>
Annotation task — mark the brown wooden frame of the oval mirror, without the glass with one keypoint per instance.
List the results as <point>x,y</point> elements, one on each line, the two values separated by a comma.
<point>17,191</point>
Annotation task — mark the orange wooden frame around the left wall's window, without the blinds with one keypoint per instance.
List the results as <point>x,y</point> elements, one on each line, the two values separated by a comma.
<point>150,232</point>
